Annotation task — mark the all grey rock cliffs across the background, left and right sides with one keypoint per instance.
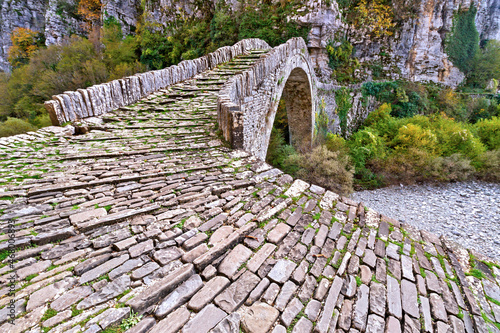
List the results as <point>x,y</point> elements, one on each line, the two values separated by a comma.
<point>415,52</point>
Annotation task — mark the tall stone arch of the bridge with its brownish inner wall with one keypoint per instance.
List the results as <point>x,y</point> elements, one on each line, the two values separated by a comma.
<point>294,83</point>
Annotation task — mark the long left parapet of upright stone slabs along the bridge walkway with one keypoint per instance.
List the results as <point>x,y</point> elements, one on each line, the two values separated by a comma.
<point>102,98</point>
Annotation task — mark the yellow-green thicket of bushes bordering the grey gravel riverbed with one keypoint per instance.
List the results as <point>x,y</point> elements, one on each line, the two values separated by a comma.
<point>436,147</point>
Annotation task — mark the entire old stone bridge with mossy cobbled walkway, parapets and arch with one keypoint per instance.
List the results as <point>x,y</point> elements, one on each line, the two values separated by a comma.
<point>148,222</point>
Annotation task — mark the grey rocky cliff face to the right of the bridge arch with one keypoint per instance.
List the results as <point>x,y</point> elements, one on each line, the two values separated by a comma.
<point>416,52</point>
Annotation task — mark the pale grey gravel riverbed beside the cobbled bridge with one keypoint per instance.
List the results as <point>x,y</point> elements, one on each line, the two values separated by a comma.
<point>465,212</point>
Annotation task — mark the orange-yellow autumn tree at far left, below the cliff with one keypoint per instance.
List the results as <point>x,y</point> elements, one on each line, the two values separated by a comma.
<point>24,43</point>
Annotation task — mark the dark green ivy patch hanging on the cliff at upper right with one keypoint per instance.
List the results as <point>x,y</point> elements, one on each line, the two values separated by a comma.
<point>463,42</point>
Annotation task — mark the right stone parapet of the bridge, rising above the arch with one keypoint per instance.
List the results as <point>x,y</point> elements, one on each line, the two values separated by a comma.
<point>240,90</point>
